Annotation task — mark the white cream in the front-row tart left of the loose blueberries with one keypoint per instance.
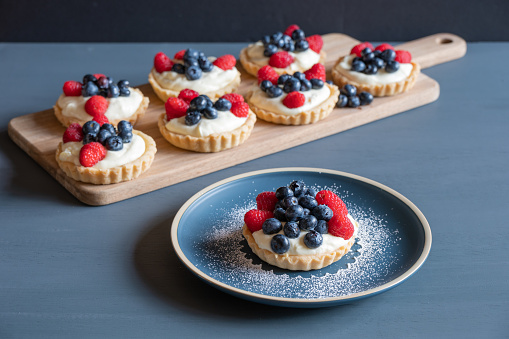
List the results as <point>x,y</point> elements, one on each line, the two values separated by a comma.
<point>314,98</point>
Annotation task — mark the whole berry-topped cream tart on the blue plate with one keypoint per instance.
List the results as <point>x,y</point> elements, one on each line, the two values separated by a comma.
<point>297,229</point>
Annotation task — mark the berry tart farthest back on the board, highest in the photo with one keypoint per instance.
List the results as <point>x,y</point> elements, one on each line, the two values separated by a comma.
<point>286,52</point>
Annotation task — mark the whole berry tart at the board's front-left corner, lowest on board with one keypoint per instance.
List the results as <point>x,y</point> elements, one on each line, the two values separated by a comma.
<point>102,154</point>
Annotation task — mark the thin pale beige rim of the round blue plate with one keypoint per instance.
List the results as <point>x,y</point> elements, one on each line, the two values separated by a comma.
<point>302,301</point>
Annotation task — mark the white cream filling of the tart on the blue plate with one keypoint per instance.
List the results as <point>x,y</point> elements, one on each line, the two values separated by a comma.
<point>297,246</point>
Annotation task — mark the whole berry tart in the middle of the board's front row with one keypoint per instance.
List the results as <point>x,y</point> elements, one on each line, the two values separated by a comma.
<point>194,122</point>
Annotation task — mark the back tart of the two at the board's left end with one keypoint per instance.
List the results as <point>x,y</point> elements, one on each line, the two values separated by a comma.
<point>120,101</point>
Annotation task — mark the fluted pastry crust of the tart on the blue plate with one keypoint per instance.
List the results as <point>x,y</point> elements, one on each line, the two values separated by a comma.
<point>296,262</point>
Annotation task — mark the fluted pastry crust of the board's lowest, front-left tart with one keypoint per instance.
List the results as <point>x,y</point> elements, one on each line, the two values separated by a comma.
<point>112,175</point>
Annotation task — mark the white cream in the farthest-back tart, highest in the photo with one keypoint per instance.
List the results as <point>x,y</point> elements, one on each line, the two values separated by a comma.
<point>302,60</point>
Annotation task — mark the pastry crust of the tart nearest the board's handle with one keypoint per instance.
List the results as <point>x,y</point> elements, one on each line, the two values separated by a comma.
<point>341,77</point>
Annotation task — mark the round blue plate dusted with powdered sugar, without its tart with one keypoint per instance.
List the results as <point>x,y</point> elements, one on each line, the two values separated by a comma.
<point>393,241</point>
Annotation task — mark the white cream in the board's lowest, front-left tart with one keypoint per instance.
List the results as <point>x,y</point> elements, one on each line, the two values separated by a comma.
<point>130,152</point>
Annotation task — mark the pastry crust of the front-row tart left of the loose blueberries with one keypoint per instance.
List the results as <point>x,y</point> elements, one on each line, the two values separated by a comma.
<point>307,117</point>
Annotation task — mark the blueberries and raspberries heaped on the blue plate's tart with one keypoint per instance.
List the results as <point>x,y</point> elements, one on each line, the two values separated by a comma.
<point>293,209</point>
